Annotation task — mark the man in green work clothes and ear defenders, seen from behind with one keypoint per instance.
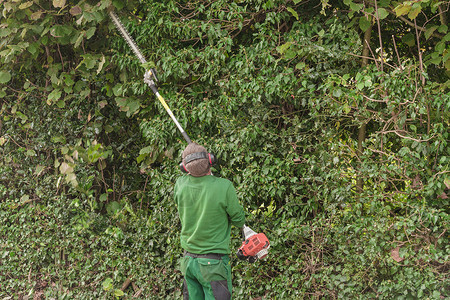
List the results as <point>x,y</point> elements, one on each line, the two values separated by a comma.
<point>207,207</point>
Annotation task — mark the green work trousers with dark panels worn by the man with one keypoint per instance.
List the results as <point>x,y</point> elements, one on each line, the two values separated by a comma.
<point>206,278</point>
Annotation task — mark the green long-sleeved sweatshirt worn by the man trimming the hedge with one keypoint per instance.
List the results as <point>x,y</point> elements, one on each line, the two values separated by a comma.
<point>207,206</point>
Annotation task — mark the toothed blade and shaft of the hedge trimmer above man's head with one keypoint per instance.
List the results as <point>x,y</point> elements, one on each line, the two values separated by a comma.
<point>150,75</point>
